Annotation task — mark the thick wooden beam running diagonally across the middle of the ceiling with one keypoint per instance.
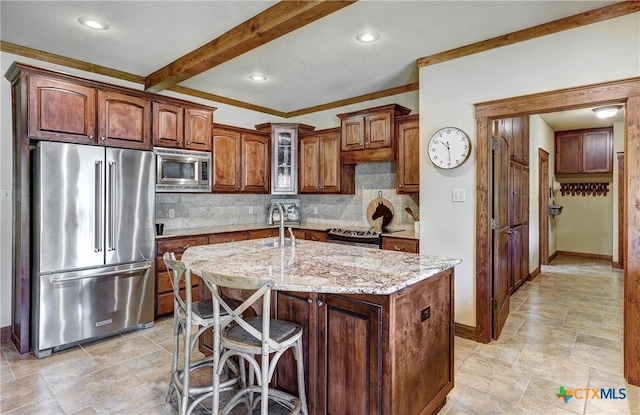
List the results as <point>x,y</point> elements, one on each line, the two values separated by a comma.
<point>278,20</point>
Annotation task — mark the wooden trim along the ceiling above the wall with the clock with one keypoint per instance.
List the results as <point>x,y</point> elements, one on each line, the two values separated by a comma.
<point>582,19</point>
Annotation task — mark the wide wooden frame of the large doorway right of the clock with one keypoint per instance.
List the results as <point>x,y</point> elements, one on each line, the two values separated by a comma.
<point>625,91</point>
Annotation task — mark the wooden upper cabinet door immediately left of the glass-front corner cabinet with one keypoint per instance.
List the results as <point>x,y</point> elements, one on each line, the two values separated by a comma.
<point>255,177</point>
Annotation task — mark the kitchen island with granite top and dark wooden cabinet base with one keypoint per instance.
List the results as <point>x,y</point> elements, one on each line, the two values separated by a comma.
<point>378,325</point>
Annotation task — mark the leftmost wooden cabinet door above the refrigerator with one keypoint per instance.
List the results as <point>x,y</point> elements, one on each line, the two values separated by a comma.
<point>61,111</point>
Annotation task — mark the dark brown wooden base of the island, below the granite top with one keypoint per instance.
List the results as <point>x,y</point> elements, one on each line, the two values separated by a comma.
<point>372,354</point>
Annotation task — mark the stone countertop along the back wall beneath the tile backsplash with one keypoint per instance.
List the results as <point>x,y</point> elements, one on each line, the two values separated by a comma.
<point>403,233</point>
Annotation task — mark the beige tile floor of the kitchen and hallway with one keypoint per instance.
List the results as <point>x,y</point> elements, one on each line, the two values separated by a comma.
<point>564,329</point>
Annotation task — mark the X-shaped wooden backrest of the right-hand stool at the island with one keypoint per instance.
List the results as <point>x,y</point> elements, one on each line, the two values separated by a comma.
<point>261,288</point>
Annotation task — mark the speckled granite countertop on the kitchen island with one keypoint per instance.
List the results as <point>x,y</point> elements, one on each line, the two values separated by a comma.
<point>317,266</point>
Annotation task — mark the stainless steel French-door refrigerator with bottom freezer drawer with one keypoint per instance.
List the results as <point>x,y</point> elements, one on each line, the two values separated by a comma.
<point>93,243</point>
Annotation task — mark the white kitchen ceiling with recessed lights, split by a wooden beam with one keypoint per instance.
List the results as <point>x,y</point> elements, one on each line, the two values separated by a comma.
<point>316,64</point>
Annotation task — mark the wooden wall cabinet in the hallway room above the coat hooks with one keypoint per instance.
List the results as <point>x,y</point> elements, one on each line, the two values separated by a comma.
<point>584,151</point>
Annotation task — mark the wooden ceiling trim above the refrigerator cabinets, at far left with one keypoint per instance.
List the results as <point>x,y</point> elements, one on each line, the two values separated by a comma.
<point>68,62</point>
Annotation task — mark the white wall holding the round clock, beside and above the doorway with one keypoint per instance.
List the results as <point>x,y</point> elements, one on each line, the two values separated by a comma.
<point>599,52</point>
